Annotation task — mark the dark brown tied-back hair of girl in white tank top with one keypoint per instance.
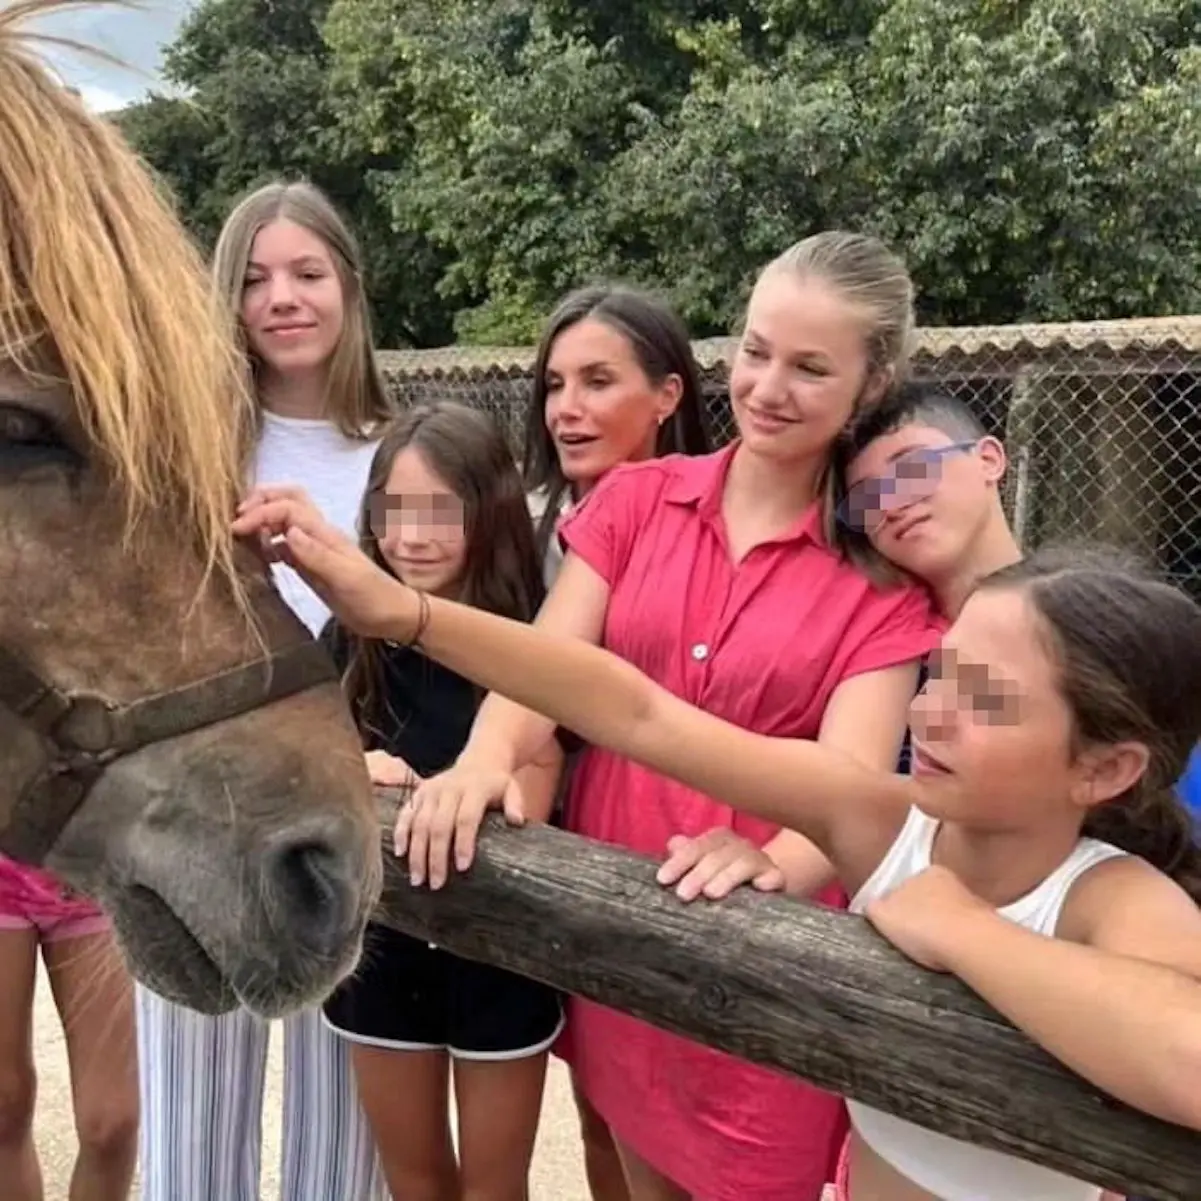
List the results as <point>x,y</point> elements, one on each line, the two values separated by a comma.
<point>1128,650</point>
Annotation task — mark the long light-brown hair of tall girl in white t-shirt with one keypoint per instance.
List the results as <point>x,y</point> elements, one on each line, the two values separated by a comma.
<point>356,398</point>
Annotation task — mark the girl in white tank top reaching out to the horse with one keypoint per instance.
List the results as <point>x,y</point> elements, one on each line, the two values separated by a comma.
<point>1037,853</point>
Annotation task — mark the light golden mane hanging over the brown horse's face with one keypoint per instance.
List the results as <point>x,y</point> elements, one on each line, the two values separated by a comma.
<point>101,286</point>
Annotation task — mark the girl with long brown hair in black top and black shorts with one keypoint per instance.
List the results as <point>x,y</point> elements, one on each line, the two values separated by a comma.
<point>445,512</point>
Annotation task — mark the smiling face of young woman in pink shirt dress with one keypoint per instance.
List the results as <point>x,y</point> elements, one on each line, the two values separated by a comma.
<point>800,371</point>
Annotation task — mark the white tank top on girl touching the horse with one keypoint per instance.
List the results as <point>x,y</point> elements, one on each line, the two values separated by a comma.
<point>947,1168</point>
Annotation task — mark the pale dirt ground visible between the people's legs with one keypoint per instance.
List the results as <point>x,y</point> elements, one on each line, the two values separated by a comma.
<point>558,1168</point>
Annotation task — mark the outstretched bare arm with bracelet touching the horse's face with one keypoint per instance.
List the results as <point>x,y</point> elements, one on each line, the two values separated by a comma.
<point>802,785</point>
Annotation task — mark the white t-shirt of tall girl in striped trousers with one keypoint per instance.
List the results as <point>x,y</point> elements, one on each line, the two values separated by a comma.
<point>333,470</point>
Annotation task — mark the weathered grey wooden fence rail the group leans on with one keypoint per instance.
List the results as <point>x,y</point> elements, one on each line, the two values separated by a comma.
<point>805,990</point>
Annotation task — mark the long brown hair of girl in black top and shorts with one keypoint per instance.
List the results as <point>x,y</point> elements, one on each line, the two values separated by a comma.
<point>503,571</point>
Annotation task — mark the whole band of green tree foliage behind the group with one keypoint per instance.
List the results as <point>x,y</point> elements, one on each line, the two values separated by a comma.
<point>1038,160</point>
